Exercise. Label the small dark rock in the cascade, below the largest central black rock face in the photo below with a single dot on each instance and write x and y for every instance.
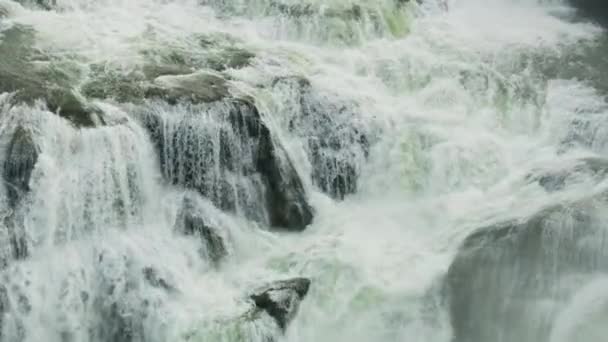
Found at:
(192, 223)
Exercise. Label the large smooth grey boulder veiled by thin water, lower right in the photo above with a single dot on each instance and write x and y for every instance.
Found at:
(504, 275)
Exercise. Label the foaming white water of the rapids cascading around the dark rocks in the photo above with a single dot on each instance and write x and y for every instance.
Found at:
(462, 101)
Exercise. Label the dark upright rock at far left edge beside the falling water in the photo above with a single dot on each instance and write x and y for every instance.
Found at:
(20, 160)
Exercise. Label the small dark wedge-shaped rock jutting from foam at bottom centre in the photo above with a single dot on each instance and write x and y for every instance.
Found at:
(281, 299)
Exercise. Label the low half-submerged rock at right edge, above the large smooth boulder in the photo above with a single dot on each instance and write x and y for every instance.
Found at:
(595, 168)
